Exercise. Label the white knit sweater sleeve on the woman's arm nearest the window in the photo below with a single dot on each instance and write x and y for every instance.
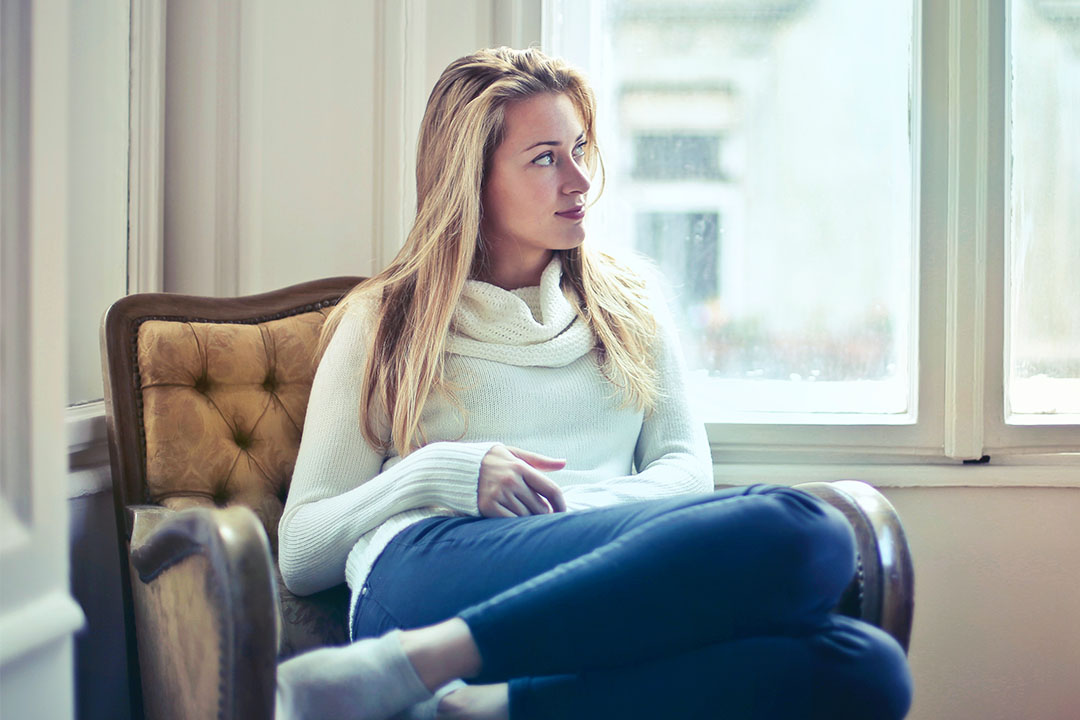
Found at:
(672, 454)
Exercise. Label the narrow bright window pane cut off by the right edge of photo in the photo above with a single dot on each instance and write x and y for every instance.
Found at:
(1044, 329)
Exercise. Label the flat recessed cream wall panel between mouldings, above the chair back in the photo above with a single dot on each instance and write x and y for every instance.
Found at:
(308, 142)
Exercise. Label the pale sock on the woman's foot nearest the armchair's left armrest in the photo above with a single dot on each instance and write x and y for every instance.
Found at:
(368, 681)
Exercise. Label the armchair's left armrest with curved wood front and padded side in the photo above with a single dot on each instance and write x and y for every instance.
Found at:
(207, 612)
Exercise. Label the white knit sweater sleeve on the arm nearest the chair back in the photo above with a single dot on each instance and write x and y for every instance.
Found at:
(340, 490)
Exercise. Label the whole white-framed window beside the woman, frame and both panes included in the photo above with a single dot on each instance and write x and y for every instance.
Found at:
(809, 178)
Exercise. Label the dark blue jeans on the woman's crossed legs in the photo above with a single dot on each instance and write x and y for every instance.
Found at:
(697, 607)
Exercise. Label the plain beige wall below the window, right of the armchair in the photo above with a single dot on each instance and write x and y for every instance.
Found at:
(997, 602)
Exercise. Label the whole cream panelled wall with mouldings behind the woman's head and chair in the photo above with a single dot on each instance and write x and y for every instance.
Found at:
(291, 133)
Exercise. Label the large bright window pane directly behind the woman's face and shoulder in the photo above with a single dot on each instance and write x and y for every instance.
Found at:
(761, 153)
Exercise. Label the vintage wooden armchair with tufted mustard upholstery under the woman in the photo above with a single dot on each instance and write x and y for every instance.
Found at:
(206, 400)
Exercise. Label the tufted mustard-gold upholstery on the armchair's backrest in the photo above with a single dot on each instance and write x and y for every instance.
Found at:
(223, 409)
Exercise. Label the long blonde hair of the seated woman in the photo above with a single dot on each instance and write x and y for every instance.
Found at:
(415, 297)
